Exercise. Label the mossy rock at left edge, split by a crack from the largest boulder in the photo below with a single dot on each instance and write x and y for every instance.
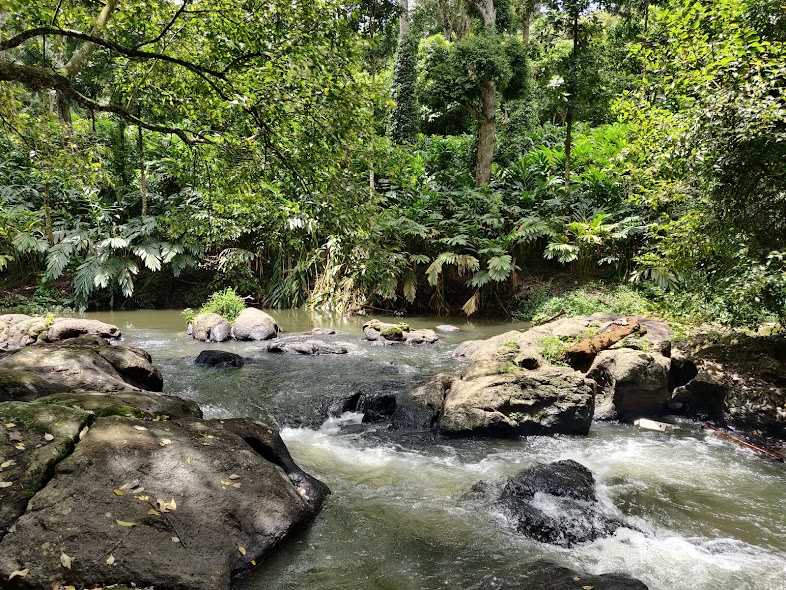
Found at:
(33, 439)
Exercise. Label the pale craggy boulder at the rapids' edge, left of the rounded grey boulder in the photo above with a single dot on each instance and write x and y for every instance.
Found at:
(548, 400)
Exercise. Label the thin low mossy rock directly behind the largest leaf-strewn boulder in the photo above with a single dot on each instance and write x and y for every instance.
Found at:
(147, 405)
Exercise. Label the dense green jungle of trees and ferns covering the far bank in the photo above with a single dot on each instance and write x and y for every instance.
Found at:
(432, 154)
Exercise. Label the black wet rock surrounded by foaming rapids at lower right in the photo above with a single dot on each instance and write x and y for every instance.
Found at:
(557, 504)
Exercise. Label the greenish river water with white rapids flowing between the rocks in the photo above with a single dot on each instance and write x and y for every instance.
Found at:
(702, 513)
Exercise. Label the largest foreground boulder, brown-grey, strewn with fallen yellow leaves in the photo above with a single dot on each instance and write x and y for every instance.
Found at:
(230, 491)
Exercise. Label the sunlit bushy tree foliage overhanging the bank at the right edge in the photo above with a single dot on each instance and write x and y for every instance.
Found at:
(708, 157)
